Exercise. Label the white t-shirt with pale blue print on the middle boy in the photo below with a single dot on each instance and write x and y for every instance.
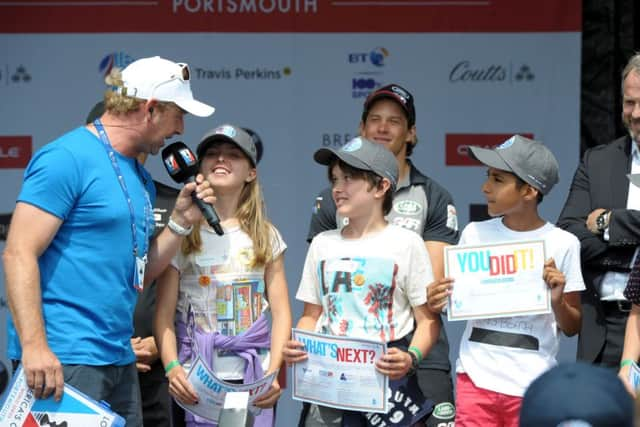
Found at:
(366, 286)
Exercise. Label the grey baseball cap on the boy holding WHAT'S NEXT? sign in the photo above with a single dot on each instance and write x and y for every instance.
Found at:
(363, 154)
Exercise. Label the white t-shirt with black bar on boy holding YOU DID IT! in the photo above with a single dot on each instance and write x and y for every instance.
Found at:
(533, 340)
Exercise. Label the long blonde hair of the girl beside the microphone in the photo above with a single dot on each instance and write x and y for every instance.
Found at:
(253, 220)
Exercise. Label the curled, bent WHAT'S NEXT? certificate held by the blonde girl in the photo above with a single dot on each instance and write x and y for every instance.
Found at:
(212, 391)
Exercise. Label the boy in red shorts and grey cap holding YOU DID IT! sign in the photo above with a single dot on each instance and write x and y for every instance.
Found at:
(500, 357)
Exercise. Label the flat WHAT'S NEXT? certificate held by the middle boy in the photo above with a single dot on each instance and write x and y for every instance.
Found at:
(340, 372)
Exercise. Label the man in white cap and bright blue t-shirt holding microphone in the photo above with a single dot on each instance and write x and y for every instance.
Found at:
(79, 247)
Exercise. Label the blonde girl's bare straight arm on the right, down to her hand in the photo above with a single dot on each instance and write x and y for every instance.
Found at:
(278, 293)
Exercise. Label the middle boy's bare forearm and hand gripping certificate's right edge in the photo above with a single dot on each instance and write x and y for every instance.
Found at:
(396, 363)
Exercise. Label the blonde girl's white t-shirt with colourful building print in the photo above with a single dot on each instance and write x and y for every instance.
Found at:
(226, 294)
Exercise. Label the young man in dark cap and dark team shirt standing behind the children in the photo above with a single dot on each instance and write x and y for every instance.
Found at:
(420, 204)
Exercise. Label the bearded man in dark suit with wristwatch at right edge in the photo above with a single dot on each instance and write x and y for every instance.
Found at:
(603, 211)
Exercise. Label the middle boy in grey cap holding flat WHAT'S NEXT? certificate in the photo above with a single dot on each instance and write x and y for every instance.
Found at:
(368, 281)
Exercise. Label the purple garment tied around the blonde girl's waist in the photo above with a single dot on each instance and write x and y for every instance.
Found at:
(244, 345)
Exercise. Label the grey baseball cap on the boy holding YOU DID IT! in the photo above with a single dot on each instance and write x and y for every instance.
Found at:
(529, 160)
